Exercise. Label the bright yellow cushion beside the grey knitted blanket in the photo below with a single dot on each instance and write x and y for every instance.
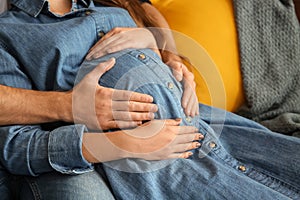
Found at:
(206, 34)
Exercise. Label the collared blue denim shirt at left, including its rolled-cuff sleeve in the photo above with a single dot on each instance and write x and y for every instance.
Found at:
(33, 149)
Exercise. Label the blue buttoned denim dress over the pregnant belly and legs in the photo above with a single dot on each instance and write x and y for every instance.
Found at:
(238, 159)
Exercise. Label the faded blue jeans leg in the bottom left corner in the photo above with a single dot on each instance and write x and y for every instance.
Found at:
(54, 186)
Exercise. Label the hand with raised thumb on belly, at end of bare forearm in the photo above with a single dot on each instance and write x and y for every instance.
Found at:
(106, 108)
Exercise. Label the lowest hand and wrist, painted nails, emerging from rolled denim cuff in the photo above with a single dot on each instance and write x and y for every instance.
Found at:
(154, 140)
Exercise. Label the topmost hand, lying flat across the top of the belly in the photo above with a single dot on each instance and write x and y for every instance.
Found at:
(123, 38)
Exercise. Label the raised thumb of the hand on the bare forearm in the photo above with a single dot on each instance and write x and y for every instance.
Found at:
(101, 68)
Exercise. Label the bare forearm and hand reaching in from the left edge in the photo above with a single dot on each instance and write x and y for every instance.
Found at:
(24, 106)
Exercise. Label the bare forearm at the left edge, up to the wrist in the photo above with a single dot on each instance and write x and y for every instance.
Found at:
(21, 106)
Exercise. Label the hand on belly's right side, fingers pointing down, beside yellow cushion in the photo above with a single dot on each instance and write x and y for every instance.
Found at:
(181, 73)
